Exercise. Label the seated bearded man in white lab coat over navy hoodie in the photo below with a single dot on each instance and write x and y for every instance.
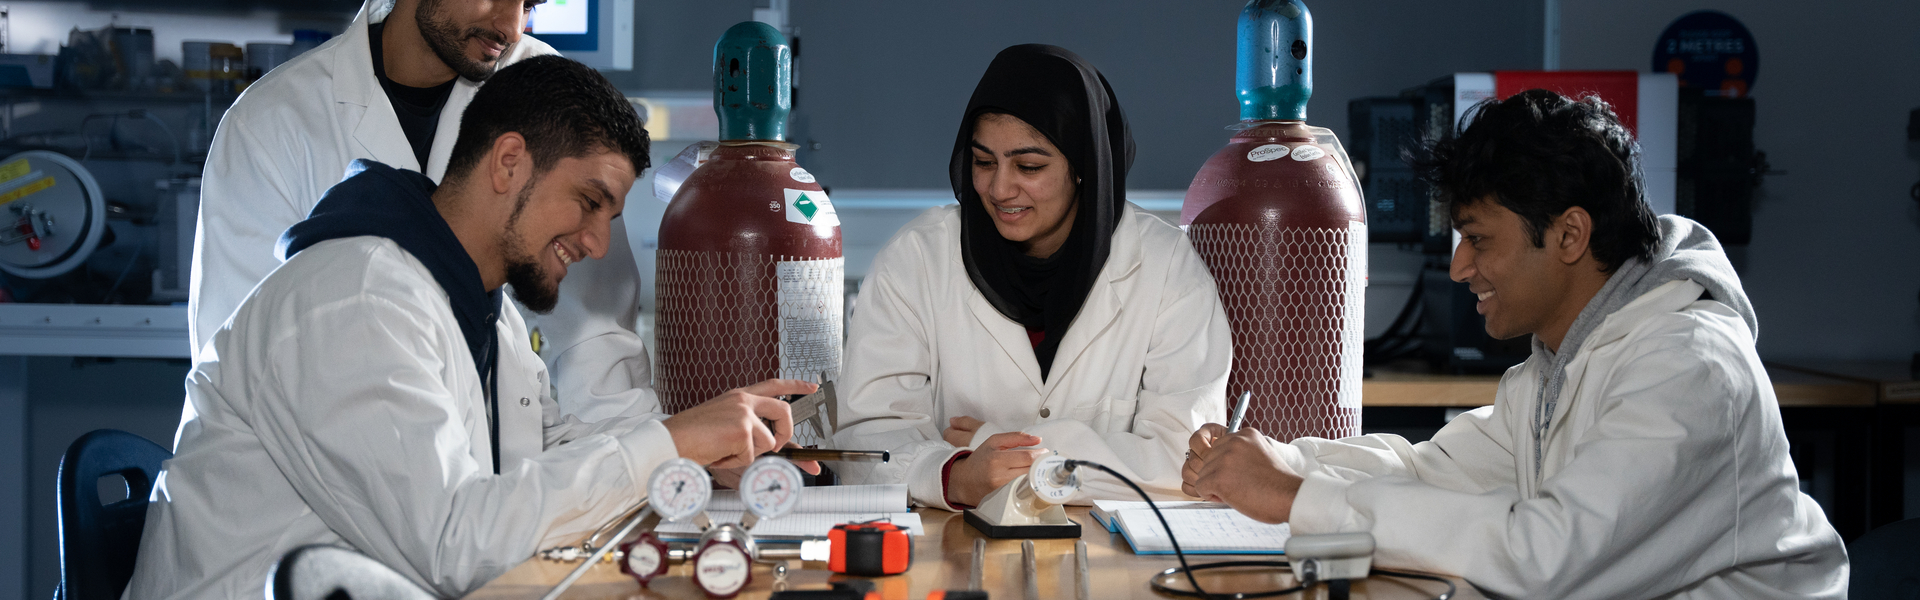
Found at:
(375, 391)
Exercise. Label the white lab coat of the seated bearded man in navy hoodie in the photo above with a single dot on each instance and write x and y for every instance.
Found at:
(343, 407)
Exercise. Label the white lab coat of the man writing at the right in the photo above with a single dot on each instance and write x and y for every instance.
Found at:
(1666, 474)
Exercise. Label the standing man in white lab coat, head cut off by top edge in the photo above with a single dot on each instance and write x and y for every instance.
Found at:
(393, 89)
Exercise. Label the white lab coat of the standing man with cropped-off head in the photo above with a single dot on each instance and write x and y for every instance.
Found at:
(293, 136)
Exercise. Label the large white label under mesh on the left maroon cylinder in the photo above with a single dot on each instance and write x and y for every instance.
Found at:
(811, 316)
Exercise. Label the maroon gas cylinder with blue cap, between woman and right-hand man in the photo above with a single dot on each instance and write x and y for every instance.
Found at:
(1280, 222)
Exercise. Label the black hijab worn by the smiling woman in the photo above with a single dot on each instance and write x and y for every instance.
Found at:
(1072, 105)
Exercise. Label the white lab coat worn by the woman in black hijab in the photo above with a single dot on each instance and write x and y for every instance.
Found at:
(1141, 368)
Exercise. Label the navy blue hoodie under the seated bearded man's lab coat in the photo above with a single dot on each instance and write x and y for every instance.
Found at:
(398, 205)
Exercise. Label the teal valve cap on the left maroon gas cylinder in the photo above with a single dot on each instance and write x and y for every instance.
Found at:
(754, 84)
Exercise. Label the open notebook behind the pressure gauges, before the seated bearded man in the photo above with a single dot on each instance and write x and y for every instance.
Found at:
(821, 509)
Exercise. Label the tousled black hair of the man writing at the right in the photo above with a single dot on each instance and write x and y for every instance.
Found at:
(1539, 155)
